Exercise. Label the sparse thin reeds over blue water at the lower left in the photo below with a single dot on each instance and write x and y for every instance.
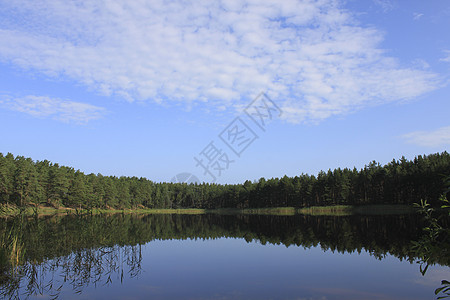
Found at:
(78, 270)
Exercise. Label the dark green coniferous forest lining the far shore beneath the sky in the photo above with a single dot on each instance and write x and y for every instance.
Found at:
(26, 182)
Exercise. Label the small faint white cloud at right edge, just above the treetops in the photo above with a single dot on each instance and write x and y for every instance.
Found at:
(436, 138)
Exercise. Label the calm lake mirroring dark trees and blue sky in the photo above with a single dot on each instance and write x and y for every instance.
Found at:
(212, 256)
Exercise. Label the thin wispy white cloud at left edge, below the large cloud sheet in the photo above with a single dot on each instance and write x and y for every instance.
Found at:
(61, 110)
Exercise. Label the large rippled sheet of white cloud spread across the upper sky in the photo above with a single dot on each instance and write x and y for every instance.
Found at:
(311, 57)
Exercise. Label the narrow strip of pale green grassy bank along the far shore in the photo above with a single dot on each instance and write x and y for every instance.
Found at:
(337, 210)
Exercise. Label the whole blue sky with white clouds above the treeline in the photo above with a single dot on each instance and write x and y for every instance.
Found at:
(140, 88)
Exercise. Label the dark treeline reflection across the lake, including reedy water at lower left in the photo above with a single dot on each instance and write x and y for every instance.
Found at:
(48, 255)
